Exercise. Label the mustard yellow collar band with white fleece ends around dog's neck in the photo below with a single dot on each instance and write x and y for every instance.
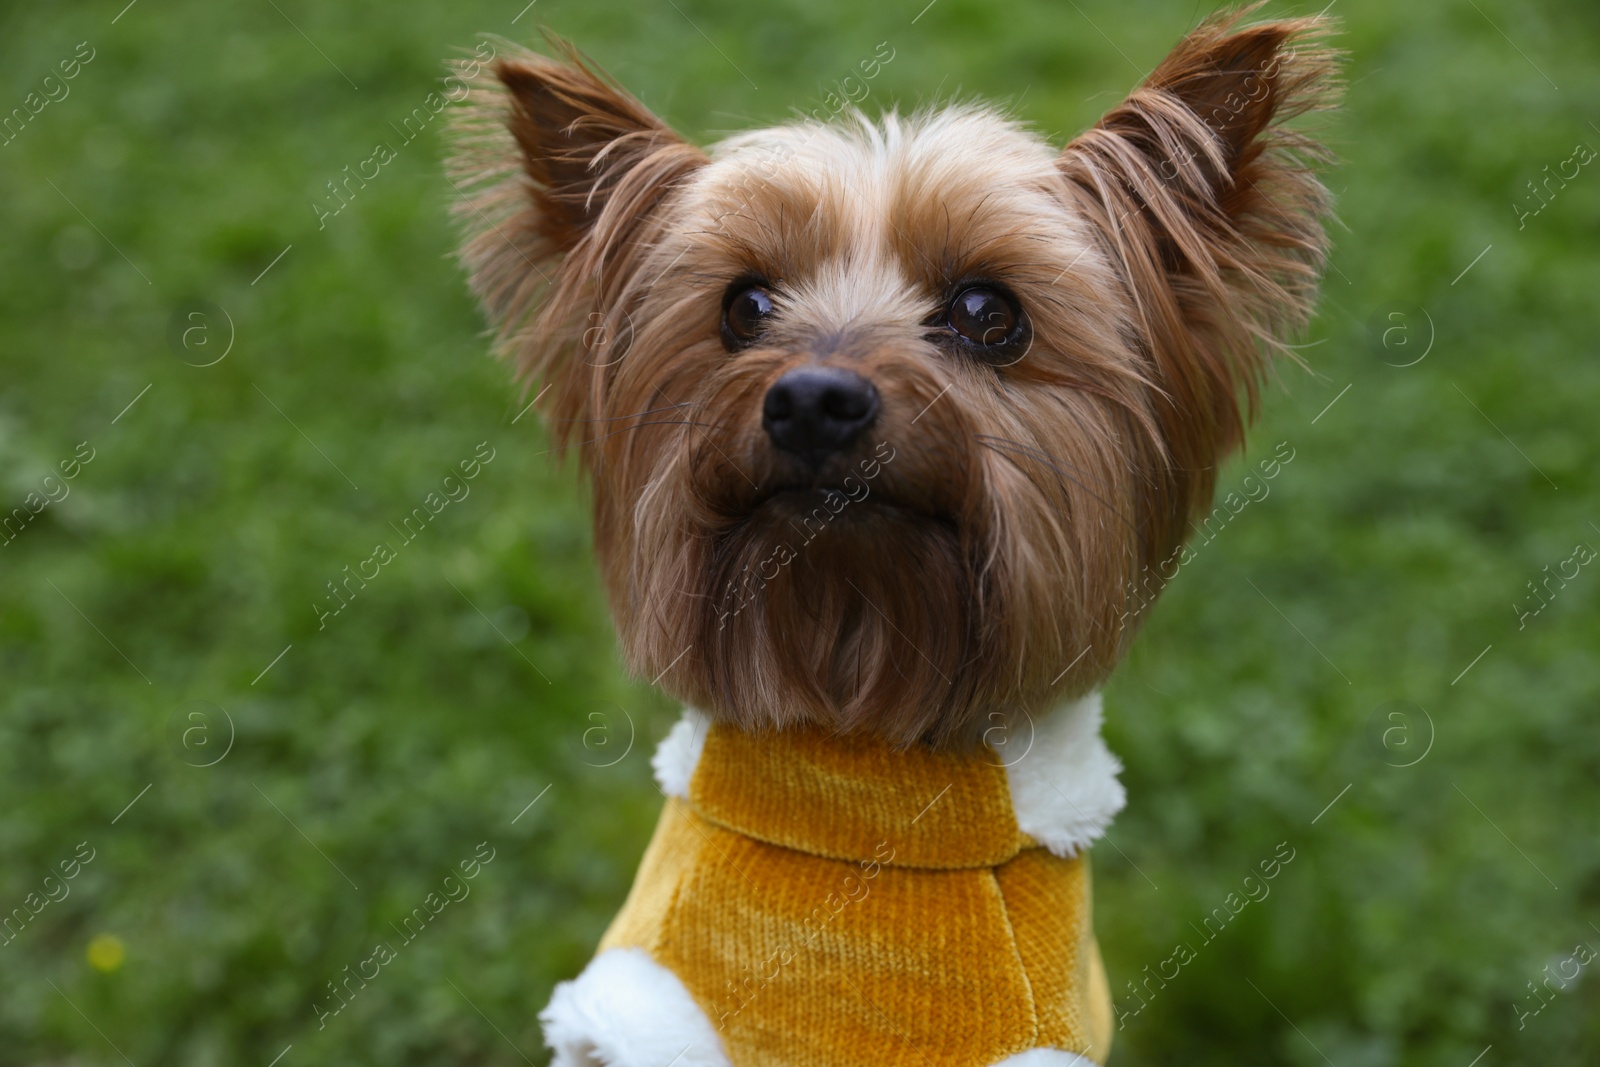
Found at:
(1054, 783)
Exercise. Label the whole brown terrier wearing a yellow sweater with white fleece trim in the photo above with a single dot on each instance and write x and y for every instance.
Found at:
(895, 426)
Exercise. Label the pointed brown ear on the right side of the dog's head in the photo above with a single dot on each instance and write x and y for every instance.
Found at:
(1210, 209)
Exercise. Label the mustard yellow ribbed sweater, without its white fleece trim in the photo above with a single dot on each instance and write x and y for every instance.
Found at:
(834, 903)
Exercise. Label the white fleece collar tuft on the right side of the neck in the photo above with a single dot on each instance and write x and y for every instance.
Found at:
(1065, 788)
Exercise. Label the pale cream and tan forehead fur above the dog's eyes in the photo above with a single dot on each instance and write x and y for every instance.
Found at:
(866, 220)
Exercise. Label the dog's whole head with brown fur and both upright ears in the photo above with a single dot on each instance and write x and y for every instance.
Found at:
(890, 423)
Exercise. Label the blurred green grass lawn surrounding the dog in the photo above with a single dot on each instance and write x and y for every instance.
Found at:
(161, 615)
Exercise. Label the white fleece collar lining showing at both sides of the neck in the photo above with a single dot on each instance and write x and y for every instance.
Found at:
(1065, 786)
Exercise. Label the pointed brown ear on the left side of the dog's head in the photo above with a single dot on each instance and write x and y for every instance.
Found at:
(561, 175)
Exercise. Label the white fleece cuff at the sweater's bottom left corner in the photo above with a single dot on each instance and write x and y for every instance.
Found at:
(626, 1010)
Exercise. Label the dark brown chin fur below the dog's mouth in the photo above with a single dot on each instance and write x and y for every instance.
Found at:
(852, 613)
